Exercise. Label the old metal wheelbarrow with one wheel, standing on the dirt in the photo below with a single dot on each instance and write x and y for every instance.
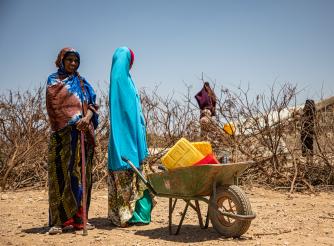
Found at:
(229, 209)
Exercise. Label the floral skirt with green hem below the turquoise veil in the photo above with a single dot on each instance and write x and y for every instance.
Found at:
(129, 201)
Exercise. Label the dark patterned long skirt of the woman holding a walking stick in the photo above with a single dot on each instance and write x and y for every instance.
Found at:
(64, 176)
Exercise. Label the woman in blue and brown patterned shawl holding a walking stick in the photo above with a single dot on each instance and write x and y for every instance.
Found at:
(71, 108)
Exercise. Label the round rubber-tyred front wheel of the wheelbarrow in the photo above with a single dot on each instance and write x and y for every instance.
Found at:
(230, 199)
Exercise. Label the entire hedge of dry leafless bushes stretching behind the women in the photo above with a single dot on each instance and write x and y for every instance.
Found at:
(268, 132)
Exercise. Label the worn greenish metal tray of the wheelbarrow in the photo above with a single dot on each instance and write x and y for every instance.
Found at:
(195, 180)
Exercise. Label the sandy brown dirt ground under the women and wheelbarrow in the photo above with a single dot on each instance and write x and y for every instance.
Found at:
(282, 219)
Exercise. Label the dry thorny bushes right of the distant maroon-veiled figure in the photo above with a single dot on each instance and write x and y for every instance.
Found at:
(268, 132)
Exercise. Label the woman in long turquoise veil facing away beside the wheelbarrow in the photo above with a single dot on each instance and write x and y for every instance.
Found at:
(129, 201)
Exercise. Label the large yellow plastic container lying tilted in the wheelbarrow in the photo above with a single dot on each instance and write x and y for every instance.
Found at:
(182, 154)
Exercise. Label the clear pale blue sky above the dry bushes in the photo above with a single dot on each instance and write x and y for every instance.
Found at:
(232, 42)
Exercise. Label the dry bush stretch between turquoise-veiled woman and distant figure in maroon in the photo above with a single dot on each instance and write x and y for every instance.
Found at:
(167, 120)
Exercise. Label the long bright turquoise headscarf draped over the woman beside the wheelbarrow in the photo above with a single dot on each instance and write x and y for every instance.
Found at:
(127, 126)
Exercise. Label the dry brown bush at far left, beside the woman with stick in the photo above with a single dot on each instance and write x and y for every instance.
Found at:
(23, 139)
